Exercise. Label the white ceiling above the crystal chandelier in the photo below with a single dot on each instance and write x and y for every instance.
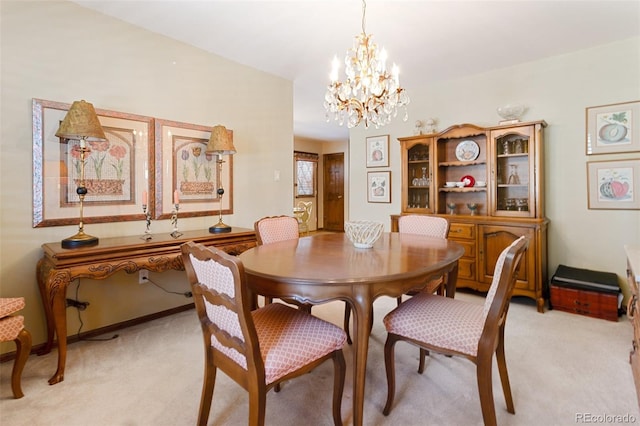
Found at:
(429, 40)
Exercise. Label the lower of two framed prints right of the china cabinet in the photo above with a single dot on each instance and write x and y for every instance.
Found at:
(614, 184)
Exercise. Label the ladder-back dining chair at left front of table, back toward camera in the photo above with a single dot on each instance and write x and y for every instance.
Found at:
(257, 349)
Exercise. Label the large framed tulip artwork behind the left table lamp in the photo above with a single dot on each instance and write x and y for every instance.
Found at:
(116, 171)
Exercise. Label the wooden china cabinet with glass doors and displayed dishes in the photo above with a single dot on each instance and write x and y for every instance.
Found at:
(488, 182)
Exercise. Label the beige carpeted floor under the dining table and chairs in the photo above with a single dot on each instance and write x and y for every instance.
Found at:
(564, 369)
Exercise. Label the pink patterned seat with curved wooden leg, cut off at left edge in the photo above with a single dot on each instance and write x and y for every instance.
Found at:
(12, 328)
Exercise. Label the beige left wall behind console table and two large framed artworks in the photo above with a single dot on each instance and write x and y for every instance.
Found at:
(62, 52)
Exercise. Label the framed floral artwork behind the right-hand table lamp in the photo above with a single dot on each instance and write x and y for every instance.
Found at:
(184, 169)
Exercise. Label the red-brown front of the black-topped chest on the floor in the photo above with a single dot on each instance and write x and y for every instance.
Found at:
(585, 302)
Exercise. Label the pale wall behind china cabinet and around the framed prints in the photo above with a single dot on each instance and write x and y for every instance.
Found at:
(556, 90)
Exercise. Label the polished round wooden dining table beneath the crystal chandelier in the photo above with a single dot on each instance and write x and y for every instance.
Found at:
(326, 267)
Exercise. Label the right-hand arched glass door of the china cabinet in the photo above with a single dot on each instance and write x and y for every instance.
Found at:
(514, 172)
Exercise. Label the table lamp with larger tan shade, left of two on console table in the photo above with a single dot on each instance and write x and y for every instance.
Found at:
(81, 123)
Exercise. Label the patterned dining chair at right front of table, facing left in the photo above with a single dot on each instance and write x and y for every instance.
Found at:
(455, 327)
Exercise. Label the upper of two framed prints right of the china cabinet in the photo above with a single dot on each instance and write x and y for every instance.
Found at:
(613, 128)
